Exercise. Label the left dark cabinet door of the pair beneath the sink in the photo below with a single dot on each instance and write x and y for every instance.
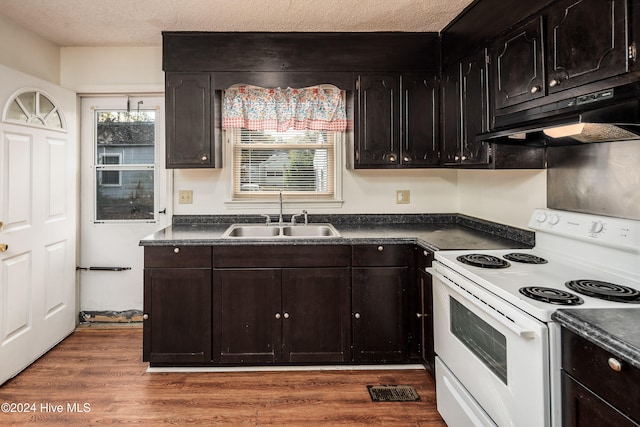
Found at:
(247, 316)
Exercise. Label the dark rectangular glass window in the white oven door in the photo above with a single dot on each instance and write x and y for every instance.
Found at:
(489, 345)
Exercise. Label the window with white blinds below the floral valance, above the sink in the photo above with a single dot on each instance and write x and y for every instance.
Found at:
(300, 163)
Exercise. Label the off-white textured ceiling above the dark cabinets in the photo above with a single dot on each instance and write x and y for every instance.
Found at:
(140, 22)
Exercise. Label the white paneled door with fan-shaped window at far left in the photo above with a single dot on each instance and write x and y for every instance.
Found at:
(38, 183)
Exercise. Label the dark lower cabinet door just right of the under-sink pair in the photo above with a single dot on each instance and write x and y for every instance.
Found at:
(379, 322)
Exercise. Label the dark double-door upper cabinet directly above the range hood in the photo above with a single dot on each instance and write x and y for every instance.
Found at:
(571, 48)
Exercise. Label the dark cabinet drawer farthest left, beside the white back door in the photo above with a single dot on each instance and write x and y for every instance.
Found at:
(177, 257)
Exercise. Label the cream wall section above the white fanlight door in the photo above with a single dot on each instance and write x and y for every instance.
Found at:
(25, 51)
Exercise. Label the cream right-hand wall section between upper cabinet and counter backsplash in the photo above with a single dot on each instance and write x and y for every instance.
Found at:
(504, 196)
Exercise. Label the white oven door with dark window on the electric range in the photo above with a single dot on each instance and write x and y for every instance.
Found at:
(497, 353)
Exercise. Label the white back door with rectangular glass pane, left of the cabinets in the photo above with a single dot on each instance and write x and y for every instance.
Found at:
(123, 197)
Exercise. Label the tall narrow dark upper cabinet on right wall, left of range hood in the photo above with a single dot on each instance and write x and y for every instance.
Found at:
(464, 112)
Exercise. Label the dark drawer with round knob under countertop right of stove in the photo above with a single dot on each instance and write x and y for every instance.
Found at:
(589, 364)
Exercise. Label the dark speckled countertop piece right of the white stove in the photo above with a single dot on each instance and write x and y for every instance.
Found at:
(615, 330)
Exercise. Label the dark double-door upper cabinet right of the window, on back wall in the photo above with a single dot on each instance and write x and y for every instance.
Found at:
(396, 119)
